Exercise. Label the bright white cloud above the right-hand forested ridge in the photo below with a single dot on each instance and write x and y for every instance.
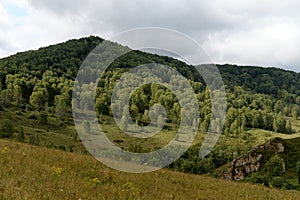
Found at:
(272, 44)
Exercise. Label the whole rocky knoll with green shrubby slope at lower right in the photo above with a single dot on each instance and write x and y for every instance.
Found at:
(274, 160)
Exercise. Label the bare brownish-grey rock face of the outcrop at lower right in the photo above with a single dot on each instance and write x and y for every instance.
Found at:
(253, 160)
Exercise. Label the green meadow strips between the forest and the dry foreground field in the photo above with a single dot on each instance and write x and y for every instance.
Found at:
(56, 133)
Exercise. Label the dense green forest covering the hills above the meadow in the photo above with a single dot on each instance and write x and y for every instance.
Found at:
(43, 79)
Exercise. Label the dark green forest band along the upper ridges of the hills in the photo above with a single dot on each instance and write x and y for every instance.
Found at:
(65, 59)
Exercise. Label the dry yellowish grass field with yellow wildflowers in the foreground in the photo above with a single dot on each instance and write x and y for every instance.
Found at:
(29, 172)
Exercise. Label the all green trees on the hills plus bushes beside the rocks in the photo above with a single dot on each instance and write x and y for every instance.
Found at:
(39, 84)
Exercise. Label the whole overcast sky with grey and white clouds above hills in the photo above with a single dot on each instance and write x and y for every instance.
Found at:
(265, 32)
